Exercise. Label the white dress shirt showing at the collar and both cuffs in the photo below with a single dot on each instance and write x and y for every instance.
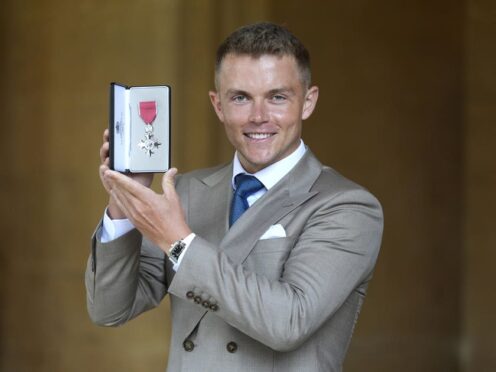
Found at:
(269, 176)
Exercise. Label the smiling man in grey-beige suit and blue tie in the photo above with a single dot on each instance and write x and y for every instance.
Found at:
(275, 287)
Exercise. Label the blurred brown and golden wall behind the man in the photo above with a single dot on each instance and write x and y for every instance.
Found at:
(407, 108)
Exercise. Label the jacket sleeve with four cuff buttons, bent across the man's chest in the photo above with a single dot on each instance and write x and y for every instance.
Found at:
(333, 255)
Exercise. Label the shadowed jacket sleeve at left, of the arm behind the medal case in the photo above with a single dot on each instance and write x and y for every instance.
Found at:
(124, 278)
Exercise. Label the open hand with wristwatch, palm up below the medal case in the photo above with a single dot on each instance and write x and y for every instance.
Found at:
(159, 217)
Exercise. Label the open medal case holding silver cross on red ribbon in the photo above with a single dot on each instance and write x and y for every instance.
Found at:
(139, 128)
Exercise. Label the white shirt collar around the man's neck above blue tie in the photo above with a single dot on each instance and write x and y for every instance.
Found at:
(272, 174)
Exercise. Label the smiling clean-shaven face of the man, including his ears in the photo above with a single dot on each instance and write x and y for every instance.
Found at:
(262, 102)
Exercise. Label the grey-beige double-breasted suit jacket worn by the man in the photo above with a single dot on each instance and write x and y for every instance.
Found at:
(244, 304)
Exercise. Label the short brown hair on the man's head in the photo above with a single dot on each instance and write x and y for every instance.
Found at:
(263, 38)
